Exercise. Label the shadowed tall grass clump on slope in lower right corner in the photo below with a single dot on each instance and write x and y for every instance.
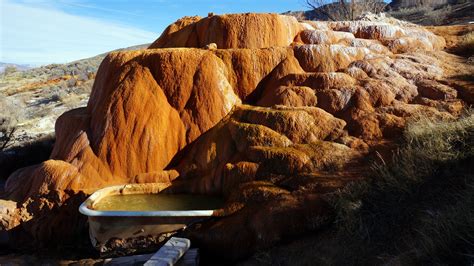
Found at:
(419, 206)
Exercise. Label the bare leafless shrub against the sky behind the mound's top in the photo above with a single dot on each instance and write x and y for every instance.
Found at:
(343, 9)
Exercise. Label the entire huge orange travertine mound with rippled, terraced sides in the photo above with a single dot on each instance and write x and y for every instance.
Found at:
(266, 111)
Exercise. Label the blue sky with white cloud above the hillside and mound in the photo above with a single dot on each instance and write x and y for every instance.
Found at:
(57, 31)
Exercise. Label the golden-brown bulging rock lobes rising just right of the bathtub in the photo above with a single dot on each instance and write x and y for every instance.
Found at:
(263, 141)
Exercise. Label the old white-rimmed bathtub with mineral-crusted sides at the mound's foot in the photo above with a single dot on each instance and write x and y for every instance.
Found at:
(135, 210)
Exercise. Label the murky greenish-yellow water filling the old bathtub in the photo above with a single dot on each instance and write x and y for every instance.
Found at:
(158, 202)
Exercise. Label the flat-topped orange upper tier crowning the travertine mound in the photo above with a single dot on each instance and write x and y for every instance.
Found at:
(230, 31)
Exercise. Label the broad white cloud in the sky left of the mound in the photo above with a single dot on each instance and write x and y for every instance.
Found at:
(30, 35)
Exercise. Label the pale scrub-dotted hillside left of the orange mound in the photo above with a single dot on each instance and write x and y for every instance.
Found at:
(41, 95)
